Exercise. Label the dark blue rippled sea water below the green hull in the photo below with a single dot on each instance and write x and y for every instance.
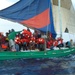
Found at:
(54, 66)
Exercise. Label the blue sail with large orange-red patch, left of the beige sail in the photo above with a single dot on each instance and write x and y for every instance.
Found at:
(32, 13)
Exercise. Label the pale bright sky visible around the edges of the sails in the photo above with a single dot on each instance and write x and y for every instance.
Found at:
(5, 25)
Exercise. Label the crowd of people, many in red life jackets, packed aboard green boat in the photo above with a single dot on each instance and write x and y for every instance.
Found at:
(26, 40)
